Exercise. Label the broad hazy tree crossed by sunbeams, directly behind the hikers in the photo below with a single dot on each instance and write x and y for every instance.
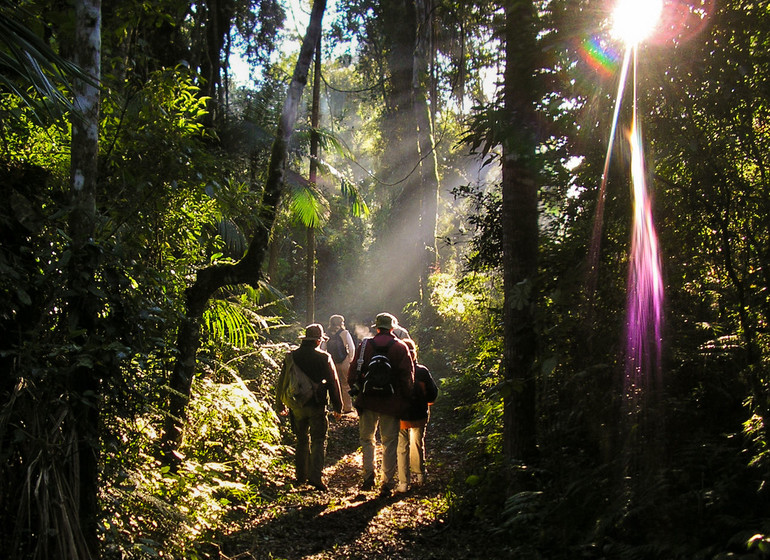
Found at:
(400, 42)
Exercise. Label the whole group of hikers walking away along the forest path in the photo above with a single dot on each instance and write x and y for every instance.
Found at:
(378, 378)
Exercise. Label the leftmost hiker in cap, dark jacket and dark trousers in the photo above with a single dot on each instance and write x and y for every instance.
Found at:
(309, 421)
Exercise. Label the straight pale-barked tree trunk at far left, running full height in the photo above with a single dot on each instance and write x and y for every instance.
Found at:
(84, 307)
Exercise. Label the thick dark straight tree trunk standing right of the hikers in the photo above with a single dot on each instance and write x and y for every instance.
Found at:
(520, 234)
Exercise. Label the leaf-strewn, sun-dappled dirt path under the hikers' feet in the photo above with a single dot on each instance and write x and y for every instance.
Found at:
(347, 523)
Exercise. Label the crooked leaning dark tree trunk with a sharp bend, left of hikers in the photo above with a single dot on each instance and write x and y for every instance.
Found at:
(248, 269)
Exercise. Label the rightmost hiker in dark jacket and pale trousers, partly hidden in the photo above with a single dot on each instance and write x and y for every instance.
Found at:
(411, 438)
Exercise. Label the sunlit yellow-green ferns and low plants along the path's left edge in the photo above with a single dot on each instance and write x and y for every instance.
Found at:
(231, 442)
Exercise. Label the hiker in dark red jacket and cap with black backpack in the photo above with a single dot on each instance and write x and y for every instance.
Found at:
(378, 406)
